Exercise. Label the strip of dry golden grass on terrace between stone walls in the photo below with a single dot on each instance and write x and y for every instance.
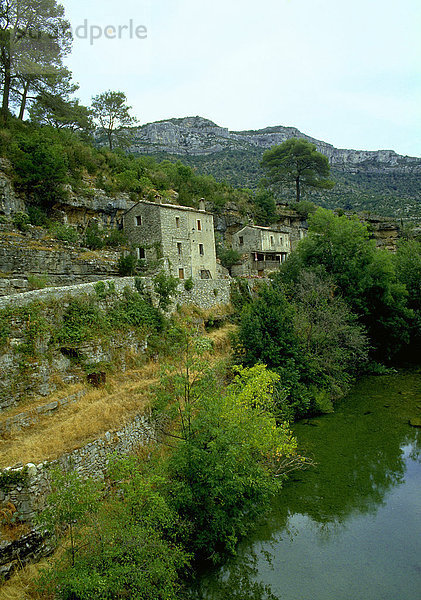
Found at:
(74, 425)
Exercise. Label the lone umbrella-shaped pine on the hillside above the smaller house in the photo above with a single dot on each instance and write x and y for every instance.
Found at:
(297, 162)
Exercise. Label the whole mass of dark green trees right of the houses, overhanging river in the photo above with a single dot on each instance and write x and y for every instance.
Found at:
(336, 301)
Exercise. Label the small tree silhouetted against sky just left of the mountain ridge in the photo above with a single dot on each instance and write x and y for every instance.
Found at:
(111, 112)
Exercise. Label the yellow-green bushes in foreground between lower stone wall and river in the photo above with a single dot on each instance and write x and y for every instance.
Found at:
(226, 461)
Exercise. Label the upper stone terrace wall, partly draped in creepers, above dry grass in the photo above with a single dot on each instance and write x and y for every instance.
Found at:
(24, 376)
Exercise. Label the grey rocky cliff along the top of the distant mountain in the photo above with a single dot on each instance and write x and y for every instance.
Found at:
(197, 136)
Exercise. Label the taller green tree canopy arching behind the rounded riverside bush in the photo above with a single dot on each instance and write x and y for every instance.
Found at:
(364, 276)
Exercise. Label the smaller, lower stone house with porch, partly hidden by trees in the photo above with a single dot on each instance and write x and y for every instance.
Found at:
(263, 250)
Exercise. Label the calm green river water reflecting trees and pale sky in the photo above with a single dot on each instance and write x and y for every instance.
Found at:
(349, 529)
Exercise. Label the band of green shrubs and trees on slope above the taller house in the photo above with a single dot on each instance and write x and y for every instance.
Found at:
(46, 159)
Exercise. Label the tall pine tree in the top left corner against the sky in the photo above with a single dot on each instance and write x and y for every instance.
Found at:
(34, 37)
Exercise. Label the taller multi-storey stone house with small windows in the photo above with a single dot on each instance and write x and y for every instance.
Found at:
(182, 235)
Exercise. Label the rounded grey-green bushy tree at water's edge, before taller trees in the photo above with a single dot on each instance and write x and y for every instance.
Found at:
(308, 336)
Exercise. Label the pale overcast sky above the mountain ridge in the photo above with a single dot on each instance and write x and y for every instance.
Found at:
(348, 73)
